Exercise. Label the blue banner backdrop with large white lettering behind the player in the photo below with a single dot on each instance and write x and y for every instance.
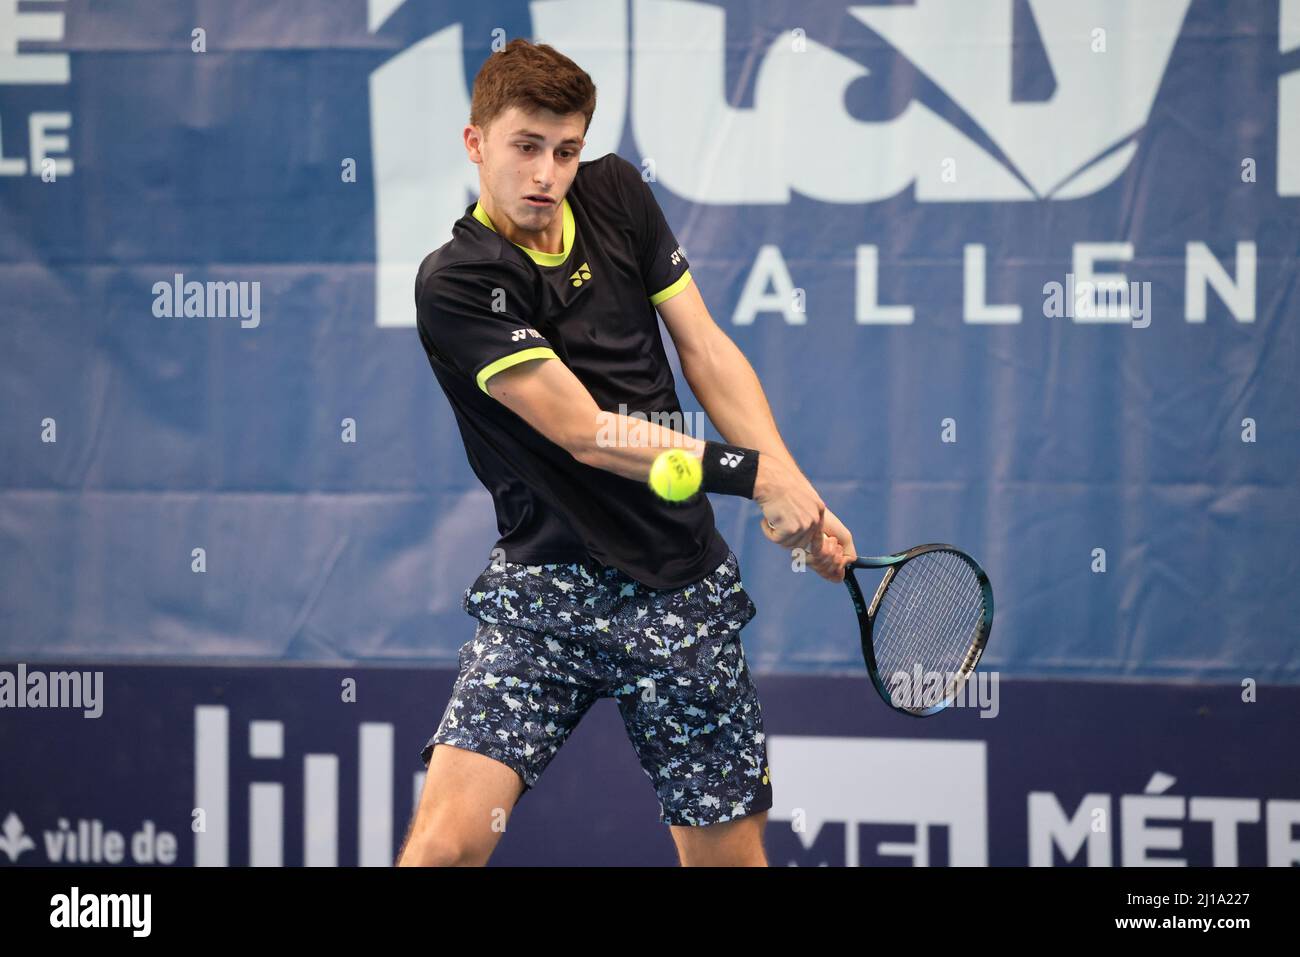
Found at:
(890, 207)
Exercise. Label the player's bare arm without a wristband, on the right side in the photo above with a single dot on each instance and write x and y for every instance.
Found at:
(729, 388)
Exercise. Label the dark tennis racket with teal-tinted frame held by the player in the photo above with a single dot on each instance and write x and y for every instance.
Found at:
(928, 626)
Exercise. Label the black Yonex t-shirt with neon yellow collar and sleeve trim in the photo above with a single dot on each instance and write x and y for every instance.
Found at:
(486, 304)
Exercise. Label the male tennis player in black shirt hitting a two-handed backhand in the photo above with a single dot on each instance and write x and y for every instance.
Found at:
(539, 317)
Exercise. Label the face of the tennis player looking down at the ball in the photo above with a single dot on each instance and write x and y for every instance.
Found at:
(528, 164)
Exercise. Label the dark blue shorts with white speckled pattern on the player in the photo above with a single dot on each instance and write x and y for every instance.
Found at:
(554, 639)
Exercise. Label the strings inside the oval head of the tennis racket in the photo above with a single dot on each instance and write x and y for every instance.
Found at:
(926, 629)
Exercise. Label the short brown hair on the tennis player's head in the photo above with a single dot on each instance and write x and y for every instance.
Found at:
(531, 76)
